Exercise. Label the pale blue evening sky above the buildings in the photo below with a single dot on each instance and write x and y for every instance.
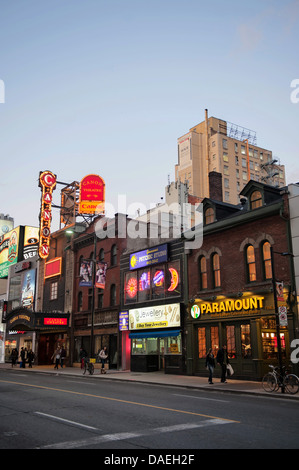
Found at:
(108, 86)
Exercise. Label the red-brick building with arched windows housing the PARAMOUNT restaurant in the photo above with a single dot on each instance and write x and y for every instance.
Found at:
(230, 282)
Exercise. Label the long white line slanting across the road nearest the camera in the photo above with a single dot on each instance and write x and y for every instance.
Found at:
(127, 435)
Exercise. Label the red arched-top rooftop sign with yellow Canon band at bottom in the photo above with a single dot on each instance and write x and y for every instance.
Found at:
(92, 195)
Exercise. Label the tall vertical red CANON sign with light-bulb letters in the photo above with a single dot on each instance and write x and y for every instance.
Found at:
(47, 182)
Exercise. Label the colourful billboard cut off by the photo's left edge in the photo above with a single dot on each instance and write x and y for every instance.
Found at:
(9, 250)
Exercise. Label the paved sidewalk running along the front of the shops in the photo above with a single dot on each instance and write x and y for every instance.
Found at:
(159, 378)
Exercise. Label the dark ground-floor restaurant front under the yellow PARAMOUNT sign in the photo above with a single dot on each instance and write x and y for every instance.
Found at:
(246, 323)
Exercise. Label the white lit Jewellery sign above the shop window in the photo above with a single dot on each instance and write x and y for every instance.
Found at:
(161, 316)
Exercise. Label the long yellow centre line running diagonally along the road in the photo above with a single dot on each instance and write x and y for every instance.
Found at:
(117, 400)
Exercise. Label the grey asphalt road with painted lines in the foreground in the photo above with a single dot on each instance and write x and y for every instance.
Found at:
(40, 411)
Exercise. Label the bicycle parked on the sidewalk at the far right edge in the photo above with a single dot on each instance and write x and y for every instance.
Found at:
(273, 380)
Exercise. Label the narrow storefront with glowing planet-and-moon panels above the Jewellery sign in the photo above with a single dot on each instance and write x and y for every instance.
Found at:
(151, 322)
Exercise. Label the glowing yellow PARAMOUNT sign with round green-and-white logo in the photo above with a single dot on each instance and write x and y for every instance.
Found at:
(229, 305)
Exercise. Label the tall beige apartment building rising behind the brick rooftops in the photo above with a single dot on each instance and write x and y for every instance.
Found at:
(217, 145)
